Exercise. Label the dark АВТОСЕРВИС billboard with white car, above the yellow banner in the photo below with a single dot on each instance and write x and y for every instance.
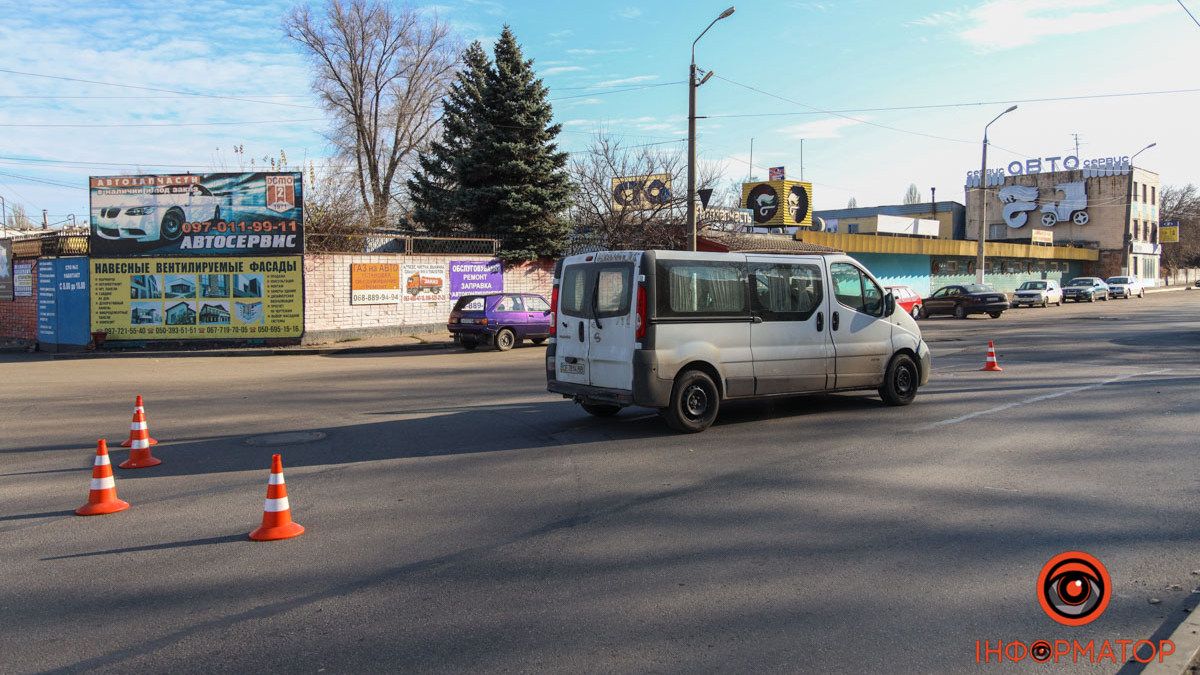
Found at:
(211, 214)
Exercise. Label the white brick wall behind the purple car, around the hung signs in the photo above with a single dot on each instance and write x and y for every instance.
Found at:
(331, 316)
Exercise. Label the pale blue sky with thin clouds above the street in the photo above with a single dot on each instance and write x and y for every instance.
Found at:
(601, 62)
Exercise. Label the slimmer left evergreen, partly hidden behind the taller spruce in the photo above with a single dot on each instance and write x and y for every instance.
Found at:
(442, 171)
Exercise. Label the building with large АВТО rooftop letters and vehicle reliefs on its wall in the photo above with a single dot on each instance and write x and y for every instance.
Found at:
(1107, 206)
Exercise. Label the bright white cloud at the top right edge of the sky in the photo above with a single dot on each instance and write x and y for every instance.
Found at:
(1005, 25)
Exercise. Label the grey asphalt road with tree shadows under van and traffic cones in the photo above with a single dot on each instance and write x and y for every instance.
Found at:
(460, 518)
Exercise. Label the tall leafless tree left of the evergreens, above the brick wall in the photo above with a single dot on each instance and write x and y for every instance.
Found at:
(382, 75)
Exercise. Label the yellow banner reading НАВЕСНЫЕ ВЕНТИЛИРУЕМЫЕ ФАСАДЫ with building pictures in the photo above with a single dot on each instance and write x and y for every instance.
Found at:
(197, 298)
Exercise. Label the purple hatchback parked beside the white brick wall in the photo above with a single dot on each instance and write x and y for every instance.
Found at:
(502, 320)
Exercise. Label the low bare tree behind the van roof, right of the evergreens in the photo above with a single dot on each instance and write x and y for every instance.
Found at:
(659, 224)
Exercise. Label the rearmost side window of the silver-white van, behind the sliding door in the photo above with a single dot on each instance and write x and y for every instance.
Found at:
(689, 289)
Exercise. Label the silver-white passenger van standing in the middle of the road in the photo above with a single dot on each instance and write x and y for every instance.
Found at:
(682, 332)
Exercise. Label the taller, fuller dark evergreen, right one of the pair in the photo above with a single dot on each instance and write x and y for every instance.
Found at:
(517, 184)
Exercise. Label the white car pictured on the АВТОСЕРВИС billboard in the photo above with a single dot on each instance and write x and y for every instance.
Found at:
(160, 218)
